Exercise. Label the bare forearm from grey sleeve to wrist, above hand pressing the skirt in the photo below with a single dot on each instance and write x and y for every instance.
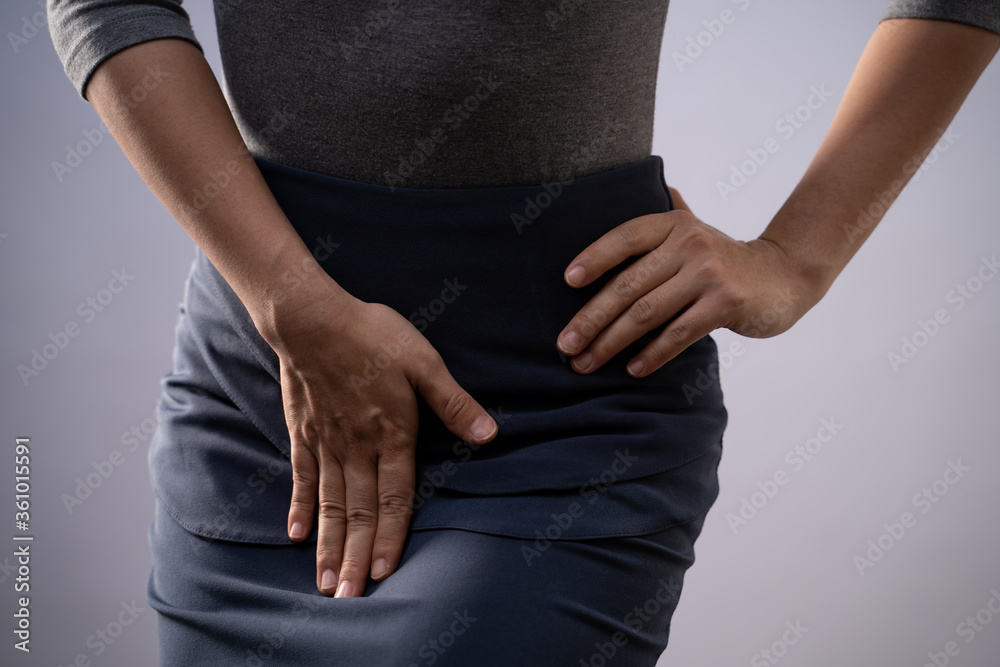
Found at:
(182, 138)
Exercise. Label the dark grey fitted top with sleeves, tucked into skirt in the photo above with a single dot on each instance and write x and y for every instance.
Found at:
(428, 93)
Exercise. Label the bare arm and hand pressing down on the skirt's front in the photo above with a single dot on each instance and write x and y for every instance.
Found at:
(352, 450)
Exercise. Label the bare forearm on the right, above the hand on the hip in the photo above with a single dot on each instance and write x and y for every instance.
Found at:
(910, 82)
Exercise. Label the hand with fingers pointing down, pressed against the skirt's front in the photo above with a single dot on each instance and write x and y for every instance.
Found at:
(353, 433)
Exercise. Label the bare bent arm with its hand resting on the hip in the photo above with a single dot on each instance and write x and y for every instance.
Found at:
(910, 82)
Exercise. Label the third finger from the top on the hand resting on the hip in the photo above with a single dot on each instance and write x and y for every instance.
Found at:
(646, 313)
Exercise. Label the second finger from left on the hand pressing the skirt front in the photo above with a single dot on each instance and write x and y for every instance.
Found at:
(332, 526)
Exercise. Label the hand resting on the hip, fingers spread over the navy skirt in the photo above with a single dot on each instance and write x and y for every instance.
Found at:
(690, 276)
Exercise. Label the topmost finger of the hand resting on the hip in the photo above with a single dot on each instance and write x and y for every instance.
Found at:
(633, 237)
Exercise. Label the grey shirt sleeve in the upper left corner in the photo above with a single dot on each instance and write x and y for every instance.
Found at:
(86, 32)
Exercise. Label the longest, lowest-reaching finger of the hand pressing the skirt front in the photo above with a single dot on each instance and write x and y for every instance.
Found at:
(362, 516)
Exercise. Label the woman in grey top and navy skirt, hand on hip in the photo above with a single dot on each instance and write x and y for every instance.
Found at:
(400, 214)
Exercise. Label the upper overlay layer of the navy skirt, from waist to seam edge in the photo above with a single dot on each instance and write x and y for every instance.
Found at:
(478, 272)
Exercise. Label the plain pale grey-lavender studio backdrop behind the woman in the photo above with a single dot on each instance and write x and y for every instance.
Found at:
(829, 443)
